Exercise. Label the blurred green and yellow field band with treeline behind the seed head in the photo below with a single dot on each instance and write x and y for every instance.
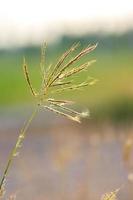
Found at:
(111, 97)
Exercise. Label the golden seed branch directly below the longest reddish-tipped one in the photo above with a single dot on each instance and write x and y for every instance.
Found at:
(76, 70)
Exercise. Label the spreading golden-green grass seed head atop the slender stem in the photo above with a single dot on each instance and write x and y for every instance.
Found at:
(54, 80)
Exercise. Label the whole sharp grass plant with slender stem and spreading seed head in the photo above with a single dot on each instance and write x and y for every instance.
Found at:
(54, 79)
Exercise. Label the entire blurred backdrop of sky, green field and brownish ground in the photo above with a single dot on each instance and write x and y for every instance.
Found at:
(60, 159)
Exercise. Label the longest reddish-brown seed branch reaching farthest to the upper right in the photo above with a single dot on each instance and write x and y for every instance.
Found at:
(76, 58)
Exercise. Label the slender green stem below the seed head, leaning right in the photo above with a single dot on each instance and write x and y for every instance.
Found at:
(16, 147)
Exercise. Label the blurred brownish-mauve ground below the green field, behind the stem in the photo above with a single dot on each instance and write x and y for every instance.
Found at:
(61, 159)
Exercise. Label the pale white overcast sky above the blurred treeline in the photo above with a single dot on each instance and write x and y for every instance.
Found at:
(31, 21)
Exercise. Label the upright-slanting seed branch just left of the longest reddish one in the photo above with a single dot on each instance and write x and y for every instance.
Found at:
(61, 60)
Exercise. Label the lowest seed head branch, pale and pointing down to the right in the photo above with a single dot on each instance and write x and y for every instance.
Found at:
(74, 118)
